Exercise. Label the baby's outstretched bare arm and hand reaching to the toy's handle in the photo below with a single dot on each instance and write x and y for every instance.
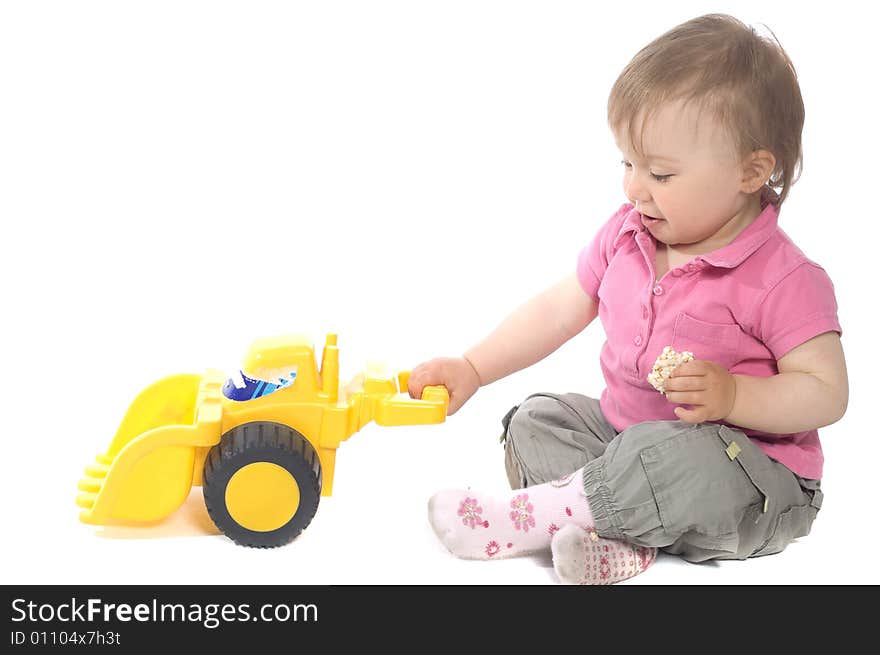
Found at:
(530, 333)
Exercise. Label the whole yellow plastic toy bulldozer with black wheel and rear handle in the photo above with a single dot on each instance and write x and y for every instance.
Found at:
(262, 446)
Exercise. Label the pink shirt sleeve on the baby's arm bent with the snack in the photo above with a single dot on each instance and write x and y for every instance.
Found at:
(799, 307)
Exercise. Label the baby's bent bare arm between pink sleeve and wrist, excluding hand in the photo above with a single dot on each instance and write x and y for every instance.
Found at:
(810, 391)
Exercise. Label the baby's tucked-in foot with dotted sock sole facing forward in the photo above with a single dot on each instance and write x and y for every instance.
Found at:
(583, 557)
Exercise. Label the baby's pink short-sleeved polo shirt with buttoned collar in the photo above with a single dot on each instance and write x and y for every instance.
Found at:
(743, 306)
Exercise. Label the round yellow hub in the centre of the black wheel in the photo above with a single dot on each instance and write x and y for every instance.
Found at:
(262, 496)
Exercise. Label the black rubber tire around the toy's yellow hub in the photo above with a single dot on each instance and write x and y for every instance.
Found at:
(262, 441)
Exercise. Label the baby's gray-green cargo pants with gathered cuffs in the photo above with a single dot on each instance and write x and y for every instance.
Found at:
(701, 491)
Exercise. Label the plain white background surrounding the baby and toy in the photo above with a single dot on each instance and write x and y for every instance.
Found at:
(178, 178)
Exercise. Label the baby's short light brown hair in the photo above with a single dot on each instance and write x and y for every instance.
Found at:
(746, 80)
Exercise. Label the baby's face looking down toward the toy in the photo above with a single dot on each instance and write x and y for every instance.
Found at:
(688, 184)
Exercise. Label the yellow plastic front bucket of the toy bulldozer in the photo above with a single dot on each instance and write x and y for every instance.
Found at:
(147, 472)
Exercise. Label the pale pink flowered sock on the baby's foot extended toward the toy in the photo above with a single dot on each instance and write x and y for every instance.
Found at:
(473, 525)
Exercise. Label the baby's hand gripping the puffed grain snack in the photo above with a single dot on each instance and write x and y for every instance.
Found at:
(706, 386)
